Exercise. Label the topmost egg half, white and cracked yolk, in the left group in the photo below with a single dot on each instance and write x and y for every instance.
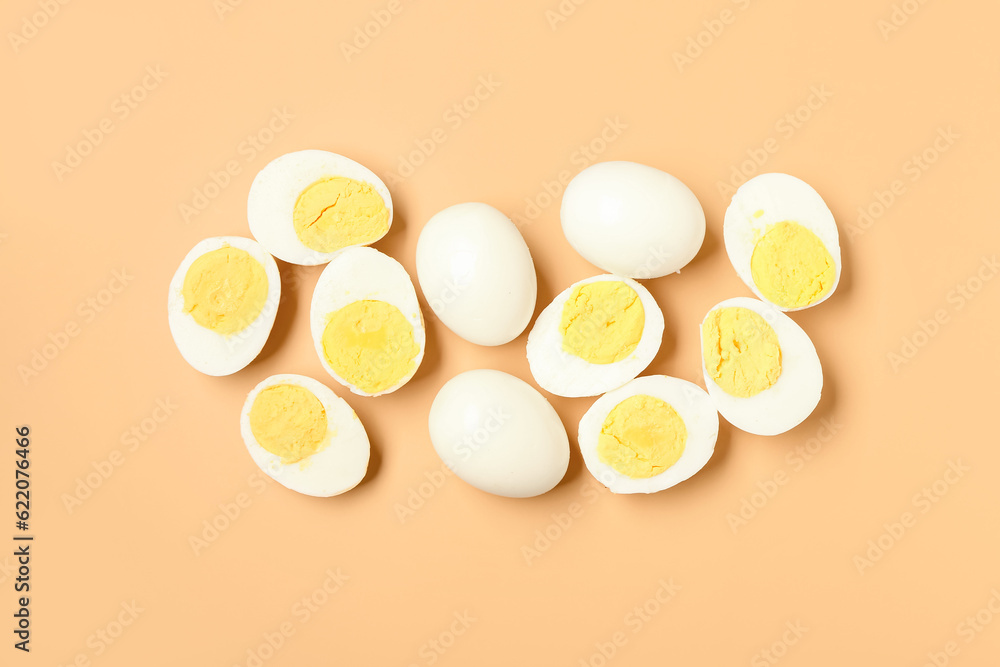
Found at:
(305, 206)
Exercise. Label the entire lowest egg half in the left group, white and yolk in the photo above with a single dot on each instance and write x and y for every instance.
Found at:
(304, 436)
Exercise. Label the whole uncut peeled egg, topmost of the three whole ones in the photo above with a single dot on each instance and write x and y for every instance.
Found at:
(632, 220)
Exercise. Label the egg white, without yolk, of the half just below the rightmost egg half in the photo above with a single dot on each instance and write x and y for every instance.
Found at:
(786, 403)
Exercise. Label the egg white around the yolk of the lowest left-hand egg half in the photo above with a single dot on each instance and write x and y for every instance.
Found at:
(337, 466)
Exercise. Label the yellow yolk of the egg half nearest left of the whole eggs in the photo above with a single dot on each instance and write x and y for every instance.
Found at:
(370, 344)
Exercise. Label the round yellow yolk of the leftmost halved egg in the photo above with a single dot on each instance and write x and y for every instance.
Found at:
(225, 290)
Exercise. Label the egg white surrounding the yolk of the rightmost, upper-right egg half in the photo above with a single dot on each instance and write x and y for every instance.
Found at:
(779, 198)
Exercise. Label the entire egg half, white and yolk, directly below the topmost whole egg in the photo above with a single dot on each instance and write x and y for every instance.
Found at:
(595, 336)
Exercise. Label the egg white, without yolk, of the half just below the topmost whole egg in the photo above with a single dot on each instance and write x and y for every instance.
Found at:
(565, 374)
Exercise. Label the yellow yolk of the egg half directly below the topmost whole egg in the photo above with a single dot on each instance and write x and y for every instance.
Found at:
(602, 322)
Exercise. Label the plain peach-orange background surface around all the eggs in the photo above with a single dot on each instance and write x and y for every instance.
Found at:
(793, 562)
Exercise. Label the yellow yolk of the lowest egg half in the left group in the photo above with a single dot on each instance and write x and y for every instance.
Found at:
(289, 421)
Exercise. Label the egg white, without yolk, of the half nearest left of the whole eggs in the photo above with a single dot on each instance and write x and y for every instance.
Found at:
(357, 274)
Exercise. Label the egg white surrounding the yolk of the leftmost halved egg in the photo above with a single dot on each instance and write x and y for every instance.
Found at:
(208, 351)
